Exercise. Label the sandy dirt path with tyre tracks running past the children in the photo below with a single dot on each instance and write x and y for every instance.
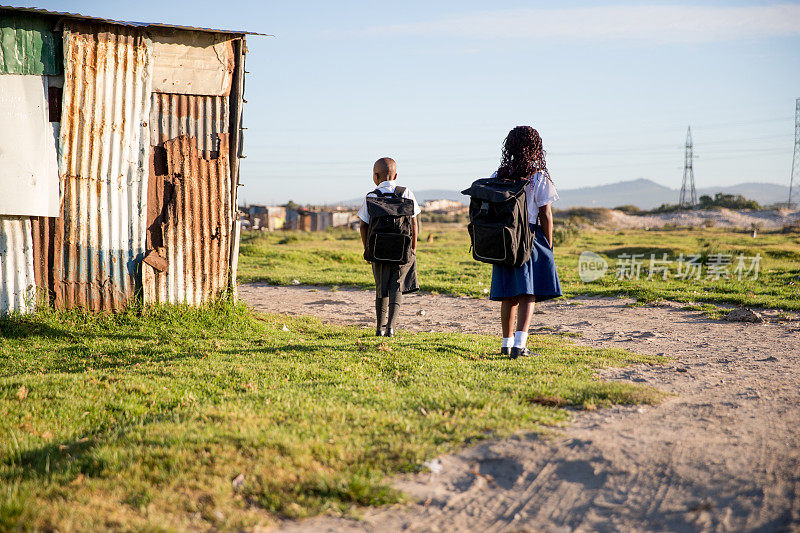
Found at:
(723, 454)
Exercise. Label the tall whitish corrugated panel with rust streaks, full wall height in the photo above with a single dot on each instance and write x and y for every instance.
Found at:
(104, 145)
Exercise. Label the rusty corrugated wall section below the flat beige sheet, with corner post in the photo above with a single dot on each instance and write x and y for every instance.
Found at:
(191, 205)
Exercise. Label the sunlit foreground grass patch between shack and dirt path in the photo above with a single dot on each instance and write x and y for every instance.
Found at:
(141, 421)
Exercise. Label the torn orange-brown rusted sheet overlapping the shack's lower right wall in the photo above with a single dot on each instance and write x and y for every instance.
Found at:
(190, 224)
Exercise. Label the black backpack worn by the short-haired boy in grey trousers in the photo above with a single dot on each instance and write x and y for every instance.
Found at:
(389, 235)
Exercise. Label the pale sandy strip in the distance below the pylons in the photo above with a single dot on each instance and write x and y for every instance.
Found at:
(727, 218)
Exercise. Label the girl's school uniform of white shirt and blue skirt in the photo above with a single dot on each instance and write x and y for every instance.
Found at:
(537, 277)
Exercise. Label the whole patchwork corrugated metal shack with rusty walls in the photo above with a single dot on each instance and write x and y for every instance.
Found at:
(123, 182)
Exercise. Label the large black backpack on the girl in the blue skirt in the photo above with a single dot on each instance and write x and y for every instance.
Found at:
(498, 222)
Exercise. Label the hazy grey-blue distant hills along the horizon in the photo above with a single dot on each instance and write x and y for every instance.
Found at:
(643, 193)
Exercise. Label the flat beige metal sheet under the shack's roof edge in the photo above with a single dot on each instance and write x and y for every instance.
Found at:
(192, 63)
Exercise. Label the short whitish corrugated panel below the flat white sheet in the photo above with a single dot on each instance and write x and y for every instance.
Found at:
(17, 280)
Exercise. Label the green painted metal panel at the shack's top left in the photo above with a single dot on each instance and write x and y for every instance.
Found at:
(28, 45)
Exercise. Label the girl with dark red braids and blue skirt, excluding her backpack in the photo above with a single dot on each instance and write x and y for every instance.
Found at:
(519, 288)
